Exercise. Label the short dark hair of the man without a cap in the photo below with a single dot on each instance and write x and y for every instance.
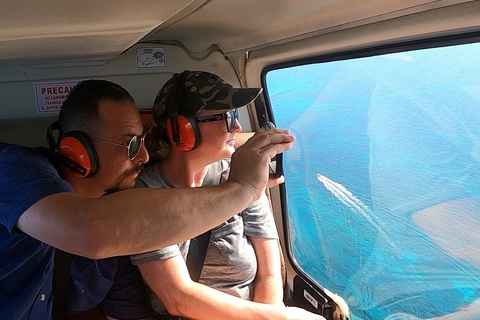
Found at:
(80, 109)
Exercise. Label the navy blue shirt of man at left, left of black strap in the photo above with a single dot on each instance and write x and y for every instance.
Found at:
(26, 264)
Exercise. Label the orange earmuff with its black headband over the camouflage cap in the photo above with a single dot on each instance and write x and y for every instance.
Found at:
(182, 129)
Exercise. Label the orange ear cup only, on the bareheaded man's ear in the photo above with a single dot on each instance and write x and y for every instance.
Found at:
(77, 147)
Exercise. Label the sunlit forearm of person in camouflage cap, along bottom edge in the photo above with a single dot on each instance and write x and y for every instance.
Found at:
(182, 296)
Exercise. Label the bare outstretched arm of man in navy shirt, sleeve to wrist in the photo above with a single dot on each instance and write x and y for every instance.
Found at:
(131, 221)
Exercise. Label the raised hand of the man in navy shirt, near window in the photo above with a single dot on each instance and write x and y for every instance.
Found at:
(249, 165)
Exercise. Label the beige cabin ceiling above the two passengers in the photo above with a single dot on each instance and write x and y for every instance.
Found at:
(96, 31)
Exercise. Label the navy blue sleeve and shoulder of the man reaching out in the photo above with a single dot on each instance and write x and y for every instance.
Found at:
(26, 175)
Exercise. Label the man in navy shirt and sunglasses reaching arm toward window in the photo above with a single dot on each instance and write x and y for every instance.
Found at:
(57, 199)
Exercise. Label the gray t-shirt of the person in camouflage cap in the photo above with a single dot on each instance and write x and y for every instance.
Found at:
(230, 263)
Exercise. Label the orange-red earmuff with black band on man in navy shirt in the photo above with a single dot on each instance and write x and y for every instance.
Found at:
(75, 150)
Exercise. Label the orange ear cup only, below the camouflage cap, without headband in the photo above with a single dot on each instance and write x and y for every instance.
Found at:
(188, 133)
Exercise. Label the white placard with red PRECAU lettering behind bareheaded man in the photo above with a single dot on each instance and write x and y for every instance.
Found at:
(50, 95)
